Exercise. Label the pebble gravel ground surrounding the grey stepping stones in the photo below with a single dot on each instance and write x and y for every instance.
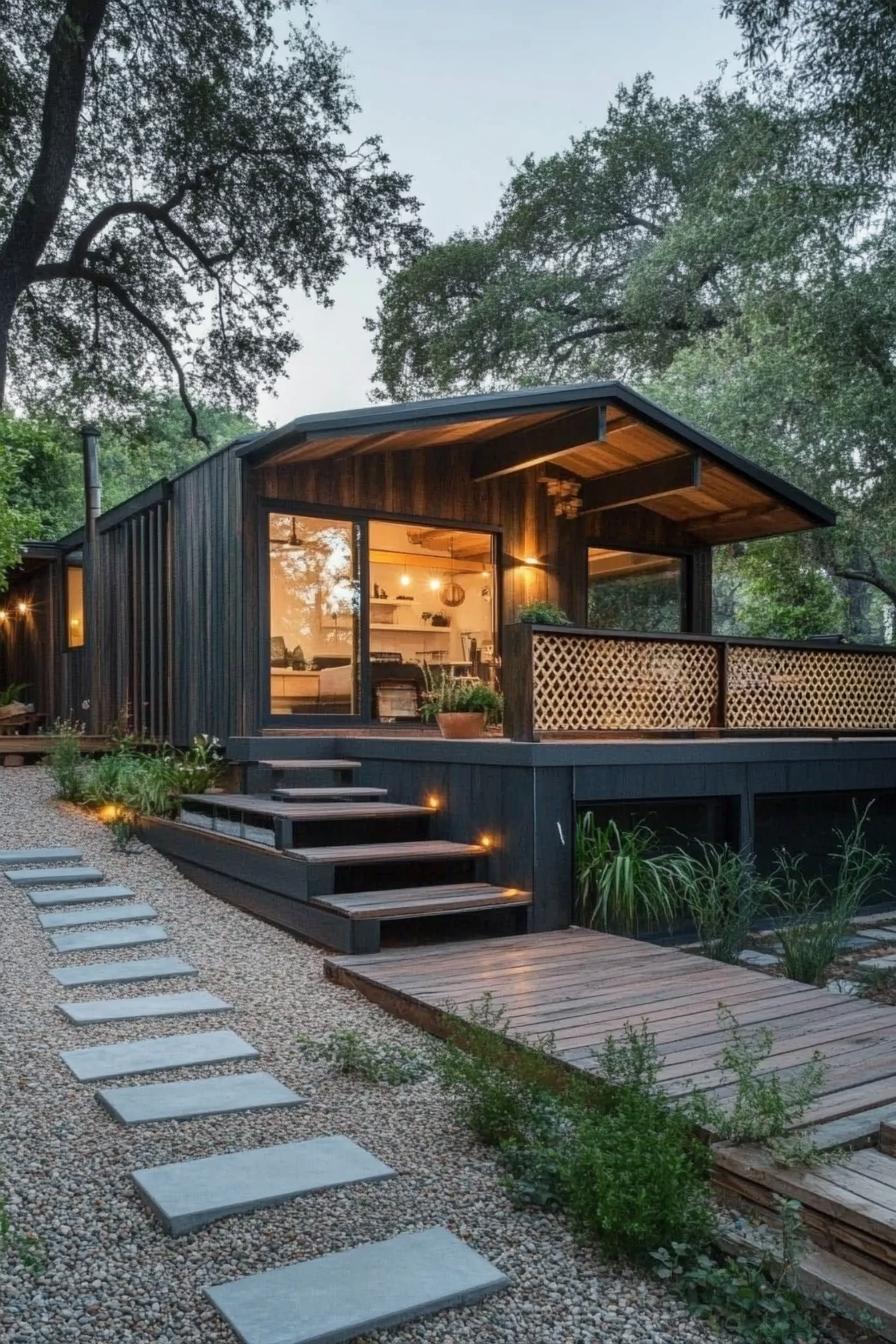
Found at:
(112, 1273)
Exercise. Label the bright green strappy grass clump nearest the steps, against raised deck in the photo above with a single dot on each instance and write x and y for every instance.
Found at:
(624, 884)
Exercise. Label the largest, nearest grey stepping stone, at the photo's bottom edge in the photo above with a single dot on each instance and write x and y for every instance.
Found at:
(351, 1294)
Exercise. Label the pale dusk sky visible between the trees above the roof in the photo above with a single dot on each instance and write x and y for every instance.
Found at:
(459, 89)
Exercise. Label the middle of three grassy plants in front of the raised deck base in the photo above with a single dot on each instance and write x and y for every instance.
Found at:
(718, 889)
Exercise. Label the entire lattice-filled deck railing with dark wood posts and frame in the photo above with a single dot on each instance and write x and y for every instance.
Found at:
(570, 682)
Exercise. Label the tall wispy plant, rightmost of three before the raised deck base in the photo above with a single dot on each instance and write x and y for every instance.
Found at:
(817, 912)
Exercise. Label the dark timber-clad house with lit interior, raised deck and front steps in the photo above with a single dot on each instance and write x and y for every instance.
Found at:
(294, 592)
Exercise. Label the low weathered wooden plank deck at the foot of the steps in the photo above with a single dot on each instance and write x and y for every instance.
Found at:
(577, 989)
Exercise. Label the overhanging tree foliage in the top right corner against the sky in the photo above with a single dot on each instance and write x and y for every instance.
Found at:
(838, 61)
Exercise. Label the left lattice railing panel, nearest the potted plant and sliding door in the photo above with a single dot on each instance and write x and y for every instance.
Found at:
(590, 683)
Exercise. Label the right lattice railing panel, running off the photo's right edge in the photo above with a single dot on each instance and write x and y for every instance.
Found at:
(811, 689)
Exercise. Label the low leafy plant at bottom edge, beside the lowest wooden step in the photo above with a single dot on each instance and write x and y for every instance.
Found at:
(753, 1299)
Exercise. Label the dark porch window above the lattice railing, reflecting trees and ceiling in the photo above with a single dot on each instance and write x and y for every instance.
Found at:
(633, 592)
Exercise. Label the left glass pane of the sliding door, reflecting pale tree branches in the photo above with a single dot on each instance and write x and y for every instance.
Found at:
(315, 607)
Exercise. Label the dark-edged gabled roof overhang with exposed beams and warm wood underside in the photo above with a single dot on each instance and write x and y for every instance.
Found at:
(621, 448)
